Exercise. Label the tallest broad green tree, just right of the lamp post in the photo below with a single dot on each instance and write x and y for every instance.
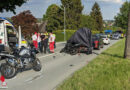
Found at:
(73, 9)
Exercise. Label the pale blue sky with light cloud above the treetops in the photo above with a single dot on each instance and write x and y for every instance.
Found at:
(109, 8)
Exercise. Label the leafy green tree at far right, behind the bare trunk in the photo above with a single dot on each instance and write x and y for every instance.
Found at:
(121, 20)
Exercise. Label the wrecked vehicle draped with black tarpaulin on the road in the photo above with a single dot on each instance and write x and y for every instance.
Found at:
(80, 42)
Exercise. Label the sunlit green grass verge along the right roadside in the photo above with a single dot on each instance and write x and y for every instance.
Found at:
(109, 71)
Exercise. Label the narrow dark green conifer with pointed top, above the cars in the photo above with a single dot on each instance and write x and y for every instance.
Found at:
(97, 16)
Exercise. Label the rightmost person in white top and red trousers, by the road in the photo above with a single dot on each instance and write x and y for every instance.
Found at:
(51, 42)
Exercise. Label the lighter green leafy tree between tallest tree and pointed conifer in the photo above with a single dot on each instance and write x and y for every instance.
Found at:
(87, 21)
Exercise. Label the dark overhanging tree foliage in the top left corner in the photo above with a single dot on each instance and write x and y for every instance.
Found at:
(10, 5)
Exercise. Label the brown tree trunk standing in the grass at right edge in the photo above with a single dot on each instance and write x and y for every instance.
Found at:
(127, 42)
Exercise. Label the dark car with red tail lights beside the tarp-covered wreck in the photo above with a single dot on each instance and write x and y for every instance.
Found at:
(97, 42)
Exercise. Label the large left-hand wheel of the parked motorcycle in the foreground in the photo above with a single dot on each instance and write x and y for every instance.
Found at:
(7, 71)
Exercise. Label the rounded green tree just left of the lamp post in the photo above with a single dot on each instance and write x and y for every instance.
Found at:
(54, 17)
